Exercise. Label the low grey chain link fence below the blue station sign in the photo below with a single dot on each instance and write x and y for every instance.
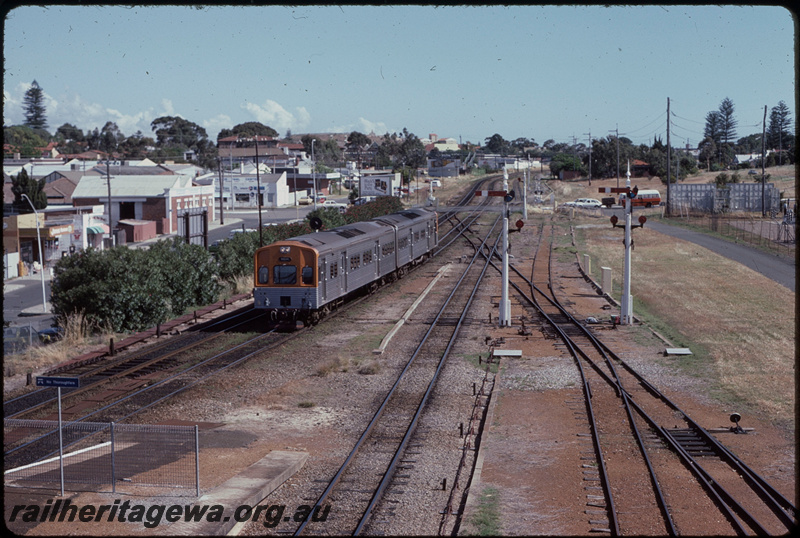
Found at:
(101, 456)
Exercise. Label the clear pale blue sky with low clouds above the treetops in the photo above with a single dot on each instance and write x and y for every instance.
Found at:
(552, 72)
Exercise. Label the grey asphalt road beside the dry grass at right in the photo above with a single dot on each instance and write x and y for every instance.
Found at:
(777, 268)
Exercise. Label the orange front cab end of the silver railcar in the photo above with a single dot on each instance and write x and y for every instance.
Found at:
(286, 279)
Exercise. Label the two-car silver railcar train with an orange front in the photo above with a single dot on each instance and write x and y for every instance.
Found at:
(304, 277)
